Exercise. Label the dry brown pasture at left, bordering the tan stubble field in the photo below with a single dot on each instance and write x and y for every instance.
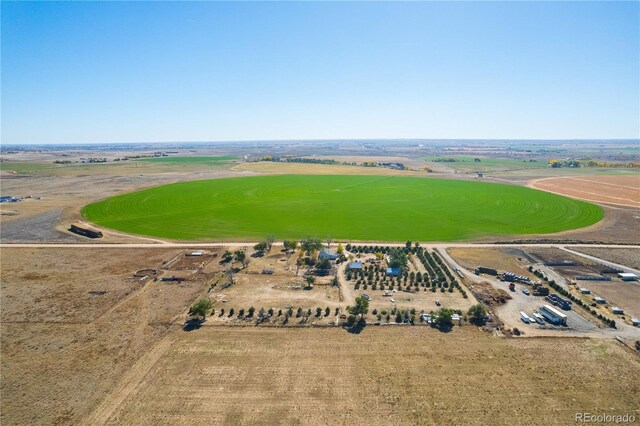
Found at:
(63, 350)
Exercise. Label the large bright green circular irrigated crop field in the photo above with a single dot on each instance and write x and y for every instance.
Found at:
(340, 207)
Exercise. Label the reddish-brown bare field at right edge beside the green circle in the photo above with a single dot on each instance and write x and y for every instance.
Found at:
(617, 190)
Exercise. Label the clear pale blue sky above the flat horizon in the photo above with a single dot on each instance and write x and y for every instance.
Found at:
(128, 72)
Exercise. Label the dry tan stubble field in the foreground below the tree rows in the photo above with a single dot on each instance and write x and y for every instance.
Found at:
(384, 375)
